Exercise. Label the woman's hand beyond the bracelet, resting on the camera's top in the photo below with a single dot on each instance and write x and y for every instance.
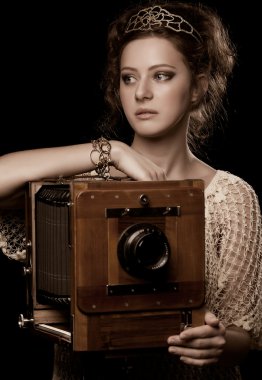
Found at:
(133, 164)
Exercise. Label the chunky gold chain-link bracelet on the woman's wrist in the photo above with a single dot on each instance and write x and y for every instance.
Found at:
(102, 149)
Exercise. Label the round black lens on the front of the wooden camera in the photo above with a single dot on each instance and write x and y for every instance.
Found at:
(143, 250)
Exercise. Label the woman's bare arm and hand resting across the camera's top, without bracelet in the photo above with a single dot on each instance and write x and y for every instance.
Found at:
(18, 168)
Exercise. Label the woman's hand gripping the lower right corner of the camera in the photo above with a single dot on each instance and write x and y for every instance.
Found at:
(200, 345)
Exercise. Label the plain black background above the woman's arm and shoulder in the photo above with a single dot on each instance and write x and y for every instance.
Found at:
(53, 57)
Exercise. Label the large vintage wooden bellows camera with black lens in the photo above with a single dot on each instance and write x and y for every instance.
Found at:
(114, 264)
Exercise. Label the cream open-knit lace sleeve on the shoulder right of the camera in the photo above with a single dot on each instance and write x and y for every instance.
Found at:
(233, 255)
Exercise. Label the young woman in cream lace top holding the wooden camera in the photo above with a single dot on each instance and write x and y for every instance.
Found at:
(167, 72)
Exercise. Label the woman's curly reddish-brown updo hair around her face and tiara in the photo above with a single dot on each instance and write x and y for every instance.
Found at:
(214, 55)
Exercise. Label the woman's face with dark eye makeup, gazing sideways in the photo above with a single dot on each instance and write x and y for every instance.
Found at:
(156, 89)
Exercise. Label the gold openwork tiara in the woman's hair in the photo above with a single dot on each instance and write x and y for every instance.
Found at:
(156, 16)
